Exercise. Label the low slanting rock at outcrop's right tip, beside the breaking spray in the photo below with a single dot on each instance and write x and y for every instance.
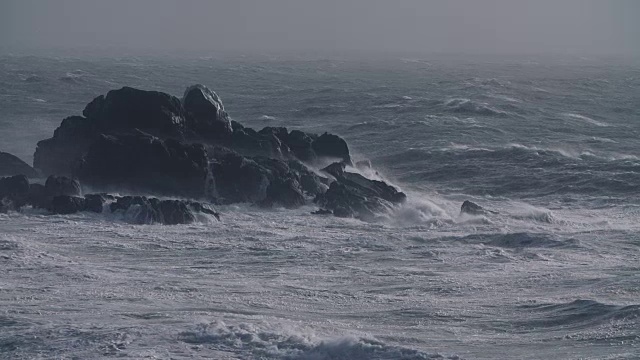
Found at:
(353, 195)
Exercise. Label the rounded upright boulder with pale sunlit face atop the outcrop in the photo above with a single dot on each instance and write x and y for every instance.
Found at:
(205, 113)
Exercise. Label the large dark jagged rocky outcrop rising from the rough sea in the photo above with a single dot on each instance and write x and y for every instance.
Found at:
(148, 142)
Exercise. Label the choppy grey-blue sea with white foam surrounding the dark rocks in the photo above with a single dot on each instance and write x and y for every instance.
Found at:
(551, 145)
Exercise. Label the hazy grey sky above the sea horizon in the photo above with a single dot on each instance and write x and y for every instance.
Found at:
(420, 26)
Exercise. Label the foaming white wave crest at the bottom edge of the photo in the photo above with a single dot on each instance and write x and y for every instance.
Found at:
(260, 341)
